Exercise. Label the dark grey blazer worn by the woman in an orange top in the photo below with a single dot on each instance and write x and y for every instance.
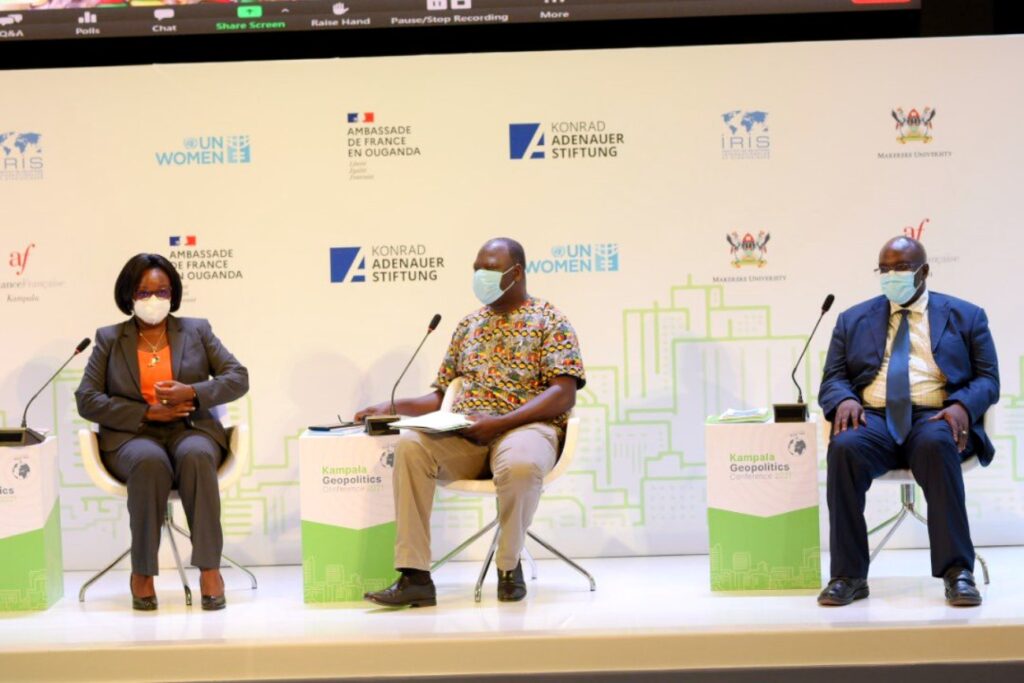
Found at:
(111, 395)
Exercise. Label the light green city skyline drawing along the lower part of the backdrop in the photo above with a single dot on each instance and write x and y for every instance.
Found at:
(641, 459)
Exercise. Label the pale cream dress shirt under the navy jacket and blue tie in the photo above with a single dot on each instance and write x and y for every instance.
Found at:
(928, 385)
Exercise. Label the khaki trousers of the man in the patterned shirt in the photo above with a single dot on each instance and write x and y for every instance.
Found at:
(519, 459)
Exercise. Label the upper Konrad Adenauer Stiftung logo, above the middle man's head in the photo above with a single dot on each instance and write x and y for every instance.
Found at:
(565, 140)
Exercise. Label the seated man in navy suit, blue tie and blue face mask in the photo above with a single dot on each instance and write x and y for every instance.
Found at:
(907, 383)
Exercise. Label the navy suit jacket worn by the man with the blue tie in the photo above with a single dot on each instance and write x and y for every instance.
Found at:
(962, 347)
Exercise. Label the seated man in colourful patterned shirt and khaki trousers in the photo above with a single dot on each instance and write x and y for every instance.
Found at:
(521, 365)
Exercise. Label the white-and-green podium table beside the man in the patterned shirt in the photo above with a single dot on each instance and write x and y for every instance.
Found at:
(348, 510)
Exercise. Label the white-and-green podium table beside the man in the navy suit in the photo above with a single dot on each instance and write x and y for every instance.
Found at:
(763, 506)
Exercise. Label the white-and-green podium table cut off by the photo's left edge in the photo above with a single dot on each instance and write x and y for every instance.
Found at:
(31, 560)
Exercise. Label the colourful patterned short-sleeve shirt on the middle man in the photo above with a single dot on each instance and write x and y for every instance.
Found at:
(506, 360)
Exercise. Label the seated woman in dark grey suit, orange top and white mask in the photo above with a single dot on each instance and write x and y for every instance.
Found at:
(150, 385)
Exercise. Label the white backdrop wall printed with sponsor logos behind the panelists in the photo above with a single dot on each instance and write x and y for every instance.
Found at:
(628, 238)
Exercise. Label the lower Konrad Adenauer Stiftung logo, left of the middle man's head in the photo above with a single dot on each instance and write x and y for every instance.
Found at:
(385, 265)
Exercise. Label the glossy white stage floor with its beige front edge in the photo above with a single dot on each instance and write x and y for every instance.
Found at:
(648, 614)
